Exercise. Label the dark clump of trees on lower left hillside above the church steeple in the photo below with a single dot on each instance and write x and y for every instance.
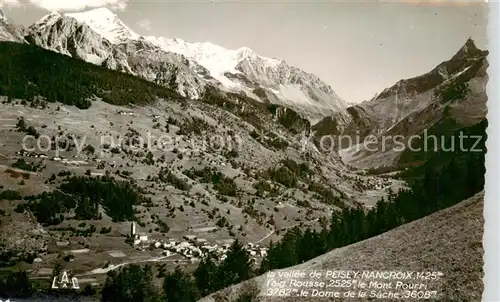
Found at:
(84, 195)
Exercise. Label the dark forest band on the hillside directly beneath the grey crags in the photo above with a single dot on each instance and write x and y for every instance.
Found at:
(27, 71)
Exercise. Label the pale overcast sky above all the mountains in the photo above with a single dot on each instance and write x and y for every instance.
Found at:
(358, 48)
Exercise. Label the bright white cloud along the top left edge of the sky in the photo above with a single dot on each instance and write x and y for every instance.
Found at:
(69, 5)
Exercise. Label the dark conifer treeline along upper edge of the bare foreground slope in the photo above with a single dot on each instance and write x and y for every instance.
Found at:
(445, 179)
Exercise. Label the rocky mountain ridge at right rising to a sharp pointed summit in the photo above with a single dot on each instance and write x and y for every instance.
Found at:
(454, 90)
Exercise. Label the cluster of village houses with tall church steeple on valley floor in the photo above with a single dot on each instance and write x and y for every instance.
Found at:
(194, 248)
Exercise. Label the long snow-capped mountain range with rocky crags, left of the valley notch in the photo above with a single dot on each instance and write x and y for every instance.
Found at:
(100, 37)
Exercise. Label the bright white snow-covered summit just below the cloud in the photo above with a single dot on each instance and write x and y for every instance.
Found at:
(106, 23)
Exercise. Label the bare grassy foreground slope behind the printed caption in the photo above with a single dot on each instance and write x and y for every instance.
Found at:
(449, 241)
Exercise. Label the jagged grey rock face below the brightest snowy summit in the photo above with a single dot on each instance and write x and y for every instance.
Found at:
(67, 35)
